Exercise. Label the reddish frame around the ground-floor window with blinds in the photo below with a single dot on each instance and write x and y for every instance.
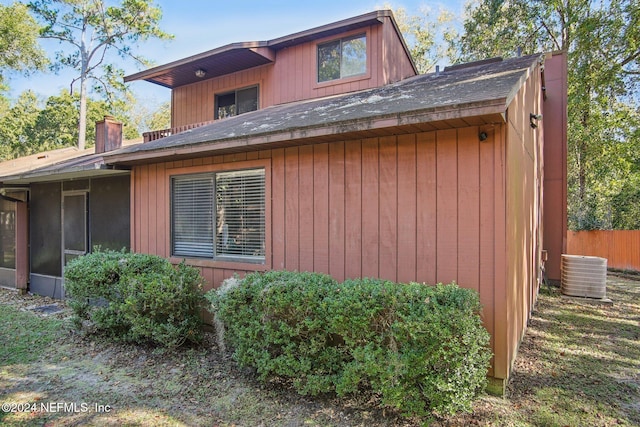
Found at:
(224, 260)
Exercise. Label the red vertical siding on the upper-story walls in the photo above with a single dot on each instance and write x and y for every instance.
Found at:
(292, 77)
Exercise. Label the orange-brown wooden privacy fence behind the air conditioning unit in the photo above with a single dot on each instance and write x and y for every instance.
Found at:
(620, 247)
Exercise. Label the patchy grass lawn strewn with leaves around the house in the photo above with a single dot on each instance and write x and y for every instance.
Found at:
(579, 365)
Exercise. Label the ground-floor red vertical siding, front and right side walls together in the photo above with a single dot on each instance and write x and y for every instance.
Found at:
(436, 206)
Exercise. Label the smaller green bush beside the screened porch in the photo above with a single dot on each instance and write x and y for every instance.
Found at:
(136, 297)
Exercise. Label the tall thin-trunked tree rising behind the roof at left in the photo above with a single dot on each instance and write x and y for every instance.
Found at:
(95, 34)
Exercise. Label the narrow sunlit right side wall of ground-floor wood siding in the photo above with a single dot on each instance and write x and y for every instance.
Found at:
(523, 228)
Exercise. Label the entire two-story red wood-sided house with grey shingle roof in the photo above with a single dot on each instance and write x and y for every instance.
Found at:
(325, 151)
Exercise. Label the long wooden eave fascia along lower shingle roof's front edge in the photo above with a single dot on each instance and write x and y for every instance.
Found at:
(455, 116)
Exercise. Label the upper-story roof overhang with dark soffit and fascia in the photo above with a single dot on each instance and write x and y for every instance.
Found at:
(241, 56)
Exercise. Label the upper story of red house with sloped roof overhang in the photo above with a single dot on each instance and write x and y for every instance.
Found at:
(364, 52)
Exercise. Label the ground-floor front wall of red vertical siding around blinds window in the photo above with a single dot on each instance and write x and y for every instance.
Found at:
(417, 207)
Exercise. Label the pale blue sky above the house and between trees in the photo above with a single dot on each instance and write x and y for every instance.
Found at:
(202, 25)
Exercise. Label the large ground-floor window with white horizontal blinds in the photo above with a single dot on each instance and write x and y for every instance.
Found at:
(219, 215)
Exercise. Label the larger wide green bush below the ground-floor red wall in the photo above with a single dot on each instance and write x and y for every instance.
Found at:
(421, 348)
